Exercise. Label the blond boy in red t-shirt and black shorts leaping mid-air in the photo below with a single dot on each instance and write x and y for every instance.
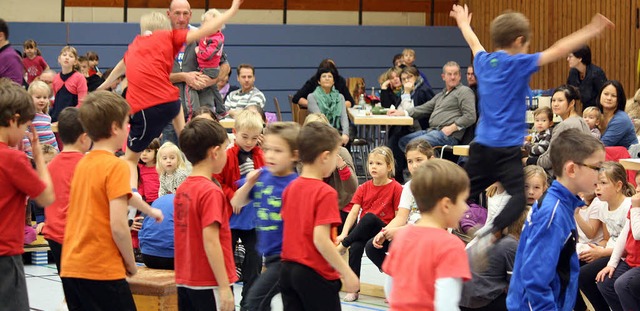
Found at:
(154, 100)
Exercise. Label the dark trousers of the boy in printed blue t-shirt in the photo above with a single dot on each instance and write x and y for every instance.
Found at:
(266, 286)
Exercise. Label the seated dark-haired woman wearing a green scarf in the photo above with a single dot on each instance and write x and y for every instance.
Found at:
(327, 100)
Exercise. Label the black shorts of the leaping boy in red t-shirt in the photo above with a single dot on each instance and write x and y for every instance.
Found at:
(147, 124)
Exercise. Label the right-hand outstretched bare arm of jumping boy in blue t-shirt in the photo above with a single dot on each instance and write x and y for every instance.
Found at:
(570, 43)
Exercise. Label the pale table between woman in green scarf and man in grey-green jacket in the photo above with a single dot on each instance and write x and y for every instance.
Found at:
(370, 125)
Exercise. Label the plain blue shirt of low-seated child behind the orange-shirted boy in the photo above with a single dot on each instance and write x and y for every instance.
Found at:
(156, 239)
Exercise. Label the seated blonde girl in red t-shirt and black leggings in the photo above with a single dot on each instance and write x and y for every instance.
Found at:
(377, 202)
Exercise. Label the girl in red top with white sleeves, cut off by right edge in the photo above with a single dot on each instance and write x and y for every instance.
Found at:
(618, 281)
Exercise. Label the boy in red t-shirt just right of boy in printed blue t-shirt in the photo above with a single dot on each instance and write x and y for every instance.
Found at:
(308, 279)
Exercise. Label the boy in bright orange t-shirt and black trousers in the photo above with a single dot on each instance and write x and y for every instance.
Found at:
(97, 253)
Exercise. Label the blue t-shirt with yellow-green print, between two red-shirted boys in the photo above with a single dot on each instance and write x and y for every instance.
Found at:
(266, 201)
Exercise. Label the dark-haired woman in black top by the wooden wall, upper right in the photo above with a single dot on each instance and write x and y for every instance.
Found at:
(584, 75)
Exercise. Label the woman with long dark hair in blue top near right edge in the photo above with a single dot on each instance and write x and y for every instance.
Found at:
(618, 129)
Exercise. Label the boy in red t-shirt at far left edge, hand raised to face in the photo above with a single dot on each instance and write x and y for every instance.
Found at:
(17, 181)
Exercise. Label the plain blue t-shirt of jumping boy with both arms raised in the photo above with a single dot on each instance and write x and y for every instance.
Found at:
(503, 85)
